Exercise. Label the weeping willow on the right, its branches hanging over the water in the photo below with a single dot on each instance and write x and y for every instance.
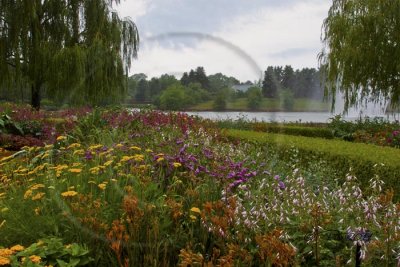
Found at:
(362, 51)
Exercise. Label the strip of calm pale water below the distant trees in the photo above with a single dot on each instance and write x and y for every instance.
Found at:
(277, 116)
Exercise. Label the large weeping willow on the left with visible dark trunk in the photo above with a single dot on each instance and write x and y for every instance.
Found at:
(73, 50)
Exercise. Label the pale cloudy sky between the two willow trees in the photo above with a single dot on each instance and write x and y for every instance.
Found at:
(239, 38)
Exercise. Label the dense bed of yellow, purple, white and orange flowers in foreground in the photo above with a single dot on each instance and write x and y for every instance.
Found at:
(156, 187)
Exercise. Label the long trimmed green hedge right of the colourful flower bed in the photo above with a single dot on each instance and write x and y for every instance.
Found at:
(364, 160)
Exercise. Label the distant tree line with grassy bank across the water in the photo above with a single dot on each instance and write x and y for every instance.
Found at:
(194, 87)
